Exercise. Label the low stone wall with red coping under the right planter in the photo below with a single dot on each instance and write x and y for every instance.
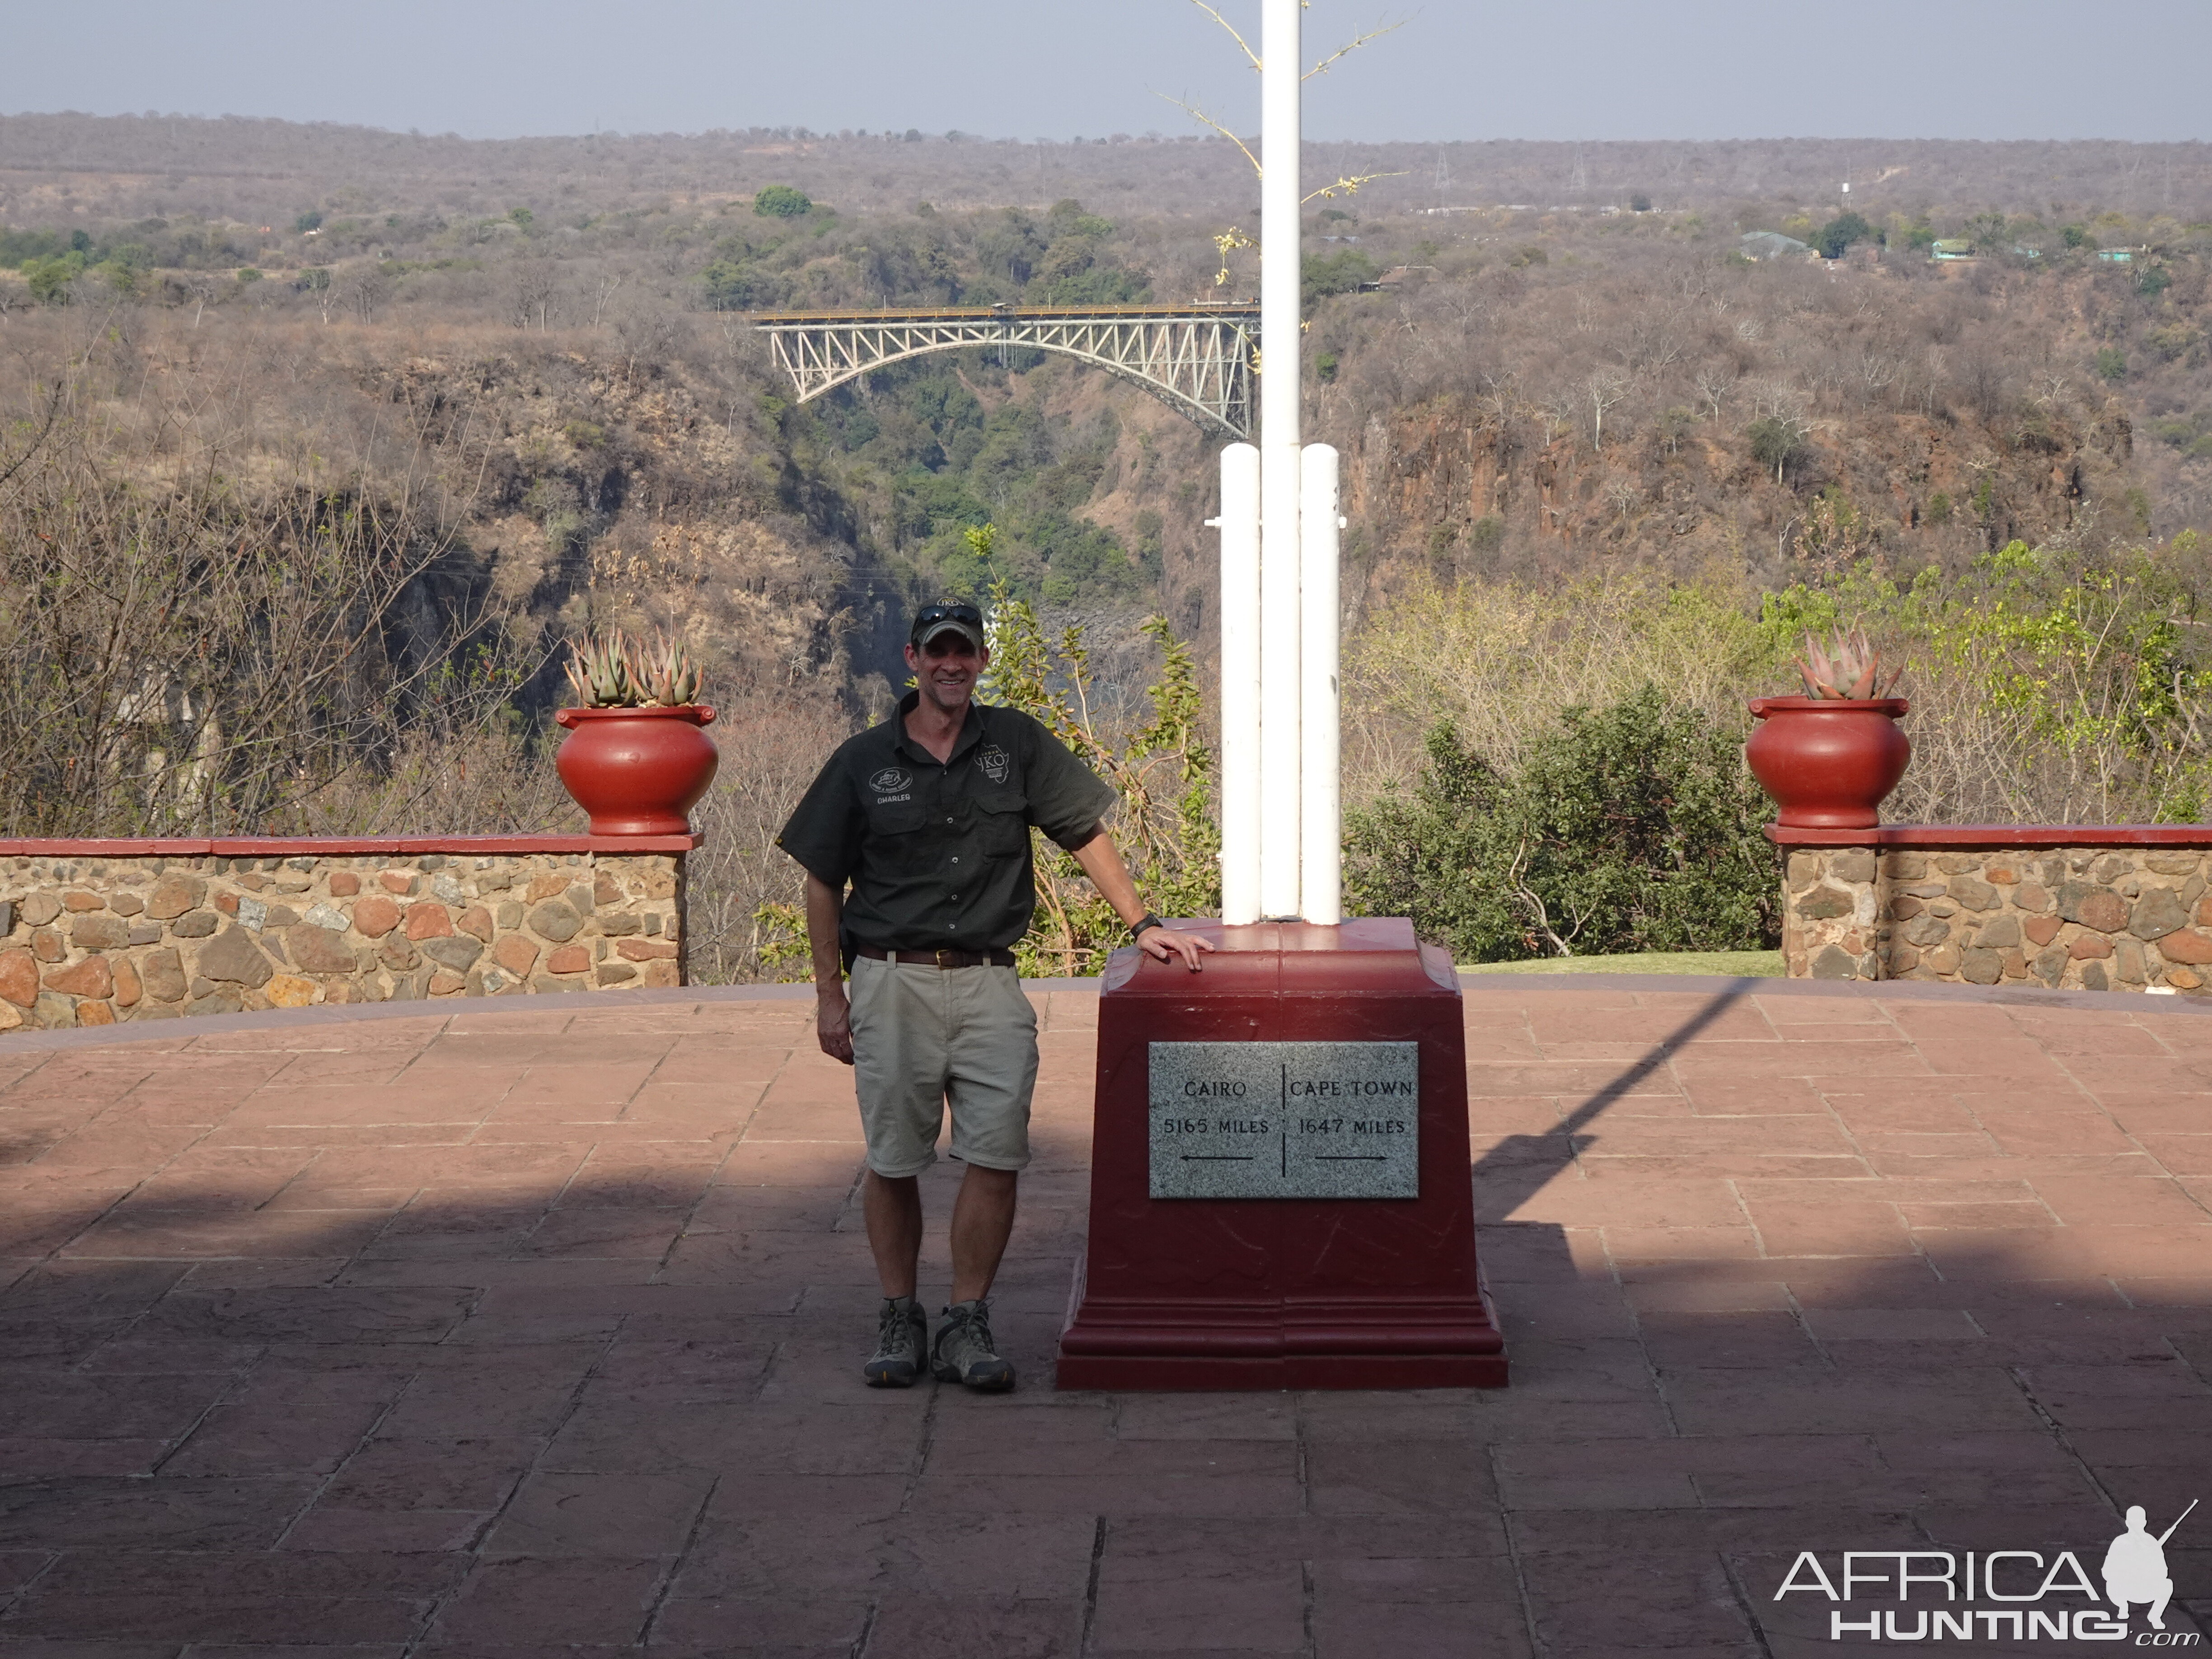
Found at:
(2125, 917)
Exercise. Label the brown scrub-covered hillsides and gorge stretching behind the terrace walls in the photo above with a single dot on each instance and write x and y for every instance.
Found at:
(317, 444)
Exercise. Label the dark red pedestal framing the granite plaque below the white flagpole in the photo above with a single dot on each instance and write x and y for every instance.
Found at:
(1282, 1293)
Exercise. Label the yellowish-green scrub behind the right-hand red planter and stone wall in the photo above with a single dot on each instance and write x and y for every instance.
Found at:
(2047, 685)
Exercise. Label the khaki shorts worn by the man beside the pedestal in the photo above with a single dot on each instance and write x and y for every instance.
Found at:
(924, 1036)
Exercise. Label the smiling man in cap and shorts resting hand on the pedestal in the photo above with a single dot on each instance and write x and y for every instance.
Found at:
(928, 820)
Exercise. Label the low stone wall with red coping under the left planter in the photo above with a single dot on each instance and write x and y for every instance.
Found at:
(167, 930)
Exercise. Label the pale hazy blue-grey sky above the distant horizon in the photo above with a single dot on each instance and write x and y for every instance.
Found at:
(1569, 70)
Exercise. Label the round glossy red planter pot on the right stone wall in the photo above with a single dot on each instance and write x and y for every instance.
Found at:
(1828, 762)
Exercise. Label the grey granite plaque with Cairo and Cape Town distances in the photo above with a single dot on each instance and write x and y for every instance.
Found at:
(1286, 1120)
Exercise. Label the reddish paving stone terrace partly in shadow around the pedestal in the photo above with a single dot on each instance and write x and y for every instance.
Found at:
(534, 1328)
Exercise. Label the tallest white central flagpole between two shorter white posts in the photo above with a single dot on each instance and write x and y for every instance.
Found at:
(1280, 459)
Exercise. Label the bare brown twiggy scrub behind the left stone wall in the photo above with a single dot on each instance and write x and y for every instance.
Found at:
(209, 638)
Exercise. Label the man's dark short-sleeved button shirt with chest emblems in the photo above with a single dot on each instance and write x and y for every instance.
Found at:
(939, 853)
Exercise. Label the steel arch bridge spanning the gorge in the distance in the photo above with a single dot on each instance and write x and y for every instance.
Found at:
(1198, 359)
